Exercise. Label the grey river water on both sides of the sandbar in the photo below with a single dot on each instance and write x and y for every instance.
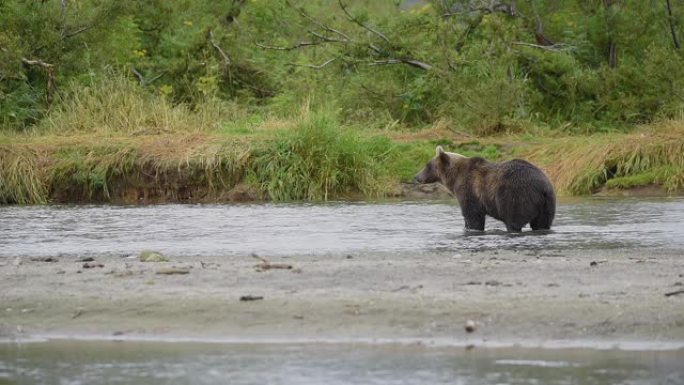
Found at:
(325, 229)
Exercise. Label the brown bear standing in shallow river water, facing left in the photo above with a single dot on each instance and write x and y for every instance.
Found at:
(515, 192)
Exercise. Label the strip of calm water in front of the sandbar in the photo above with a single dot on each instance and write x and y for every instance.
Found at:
(93, 363)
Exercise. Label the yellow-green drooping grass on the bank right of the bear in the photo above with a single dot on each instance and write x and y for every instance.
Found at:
(582, 165)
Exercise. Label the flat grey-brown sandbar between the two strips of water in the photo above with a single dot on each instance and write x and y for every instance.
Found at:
(511, 296)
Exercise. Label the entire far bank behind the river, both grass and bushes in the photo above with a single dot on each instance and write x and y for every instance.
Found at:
(295, 100)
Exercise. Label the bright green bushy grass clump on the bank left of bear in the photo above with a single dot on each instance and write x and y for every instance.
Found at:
(318, 160)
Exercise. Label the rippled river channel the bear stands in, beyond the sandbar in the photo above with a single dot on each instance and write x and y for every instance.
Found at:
(333, 228)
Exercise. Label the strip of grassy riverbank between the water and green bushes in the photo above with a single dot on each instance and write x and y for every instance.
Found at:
(308, 157)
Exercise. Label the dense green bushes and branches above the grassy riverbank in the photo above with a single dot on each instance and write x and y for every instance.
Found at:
(482, 66)
